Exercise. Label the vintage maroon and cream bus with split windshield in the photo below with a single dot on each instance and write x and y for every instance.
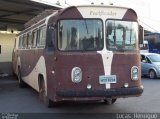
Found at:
(81, 53)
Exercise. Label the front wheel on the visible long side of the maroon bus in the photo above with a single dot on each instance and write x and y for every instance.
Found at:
(43, 95)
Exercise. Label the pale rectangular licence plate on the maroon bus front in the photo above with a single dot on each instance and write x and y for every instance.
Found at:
(103, 79)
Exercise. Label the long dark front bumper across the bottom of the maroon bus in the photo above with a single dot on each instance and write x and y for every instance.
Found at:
(122, 92)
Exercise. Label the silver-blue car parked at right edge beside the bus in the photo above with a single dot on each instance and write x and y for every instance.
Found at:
(150, 63)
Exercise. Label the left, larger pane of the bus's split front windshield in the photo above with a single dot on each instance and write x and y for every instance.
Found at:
(76, 35)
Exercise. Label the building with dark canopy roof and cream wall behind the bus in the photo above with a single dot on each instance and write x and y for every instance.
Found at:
(12, 20)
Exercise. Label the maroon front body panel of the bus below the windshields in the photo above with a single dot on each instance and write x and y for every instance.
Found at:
(90, 75)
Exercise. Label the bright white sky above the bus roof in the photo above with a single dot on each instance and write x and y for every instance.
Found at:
(147, 10)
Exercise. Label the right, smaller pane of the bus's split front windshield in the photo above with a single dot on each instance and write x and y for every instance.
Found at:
(121, 35)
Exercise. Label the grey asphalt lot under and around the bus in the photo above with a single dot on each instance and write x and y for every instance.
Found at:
(25, 100)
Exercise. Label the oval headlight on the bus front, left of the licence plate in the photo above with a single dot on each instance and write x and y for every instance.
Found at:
(76, 75)
